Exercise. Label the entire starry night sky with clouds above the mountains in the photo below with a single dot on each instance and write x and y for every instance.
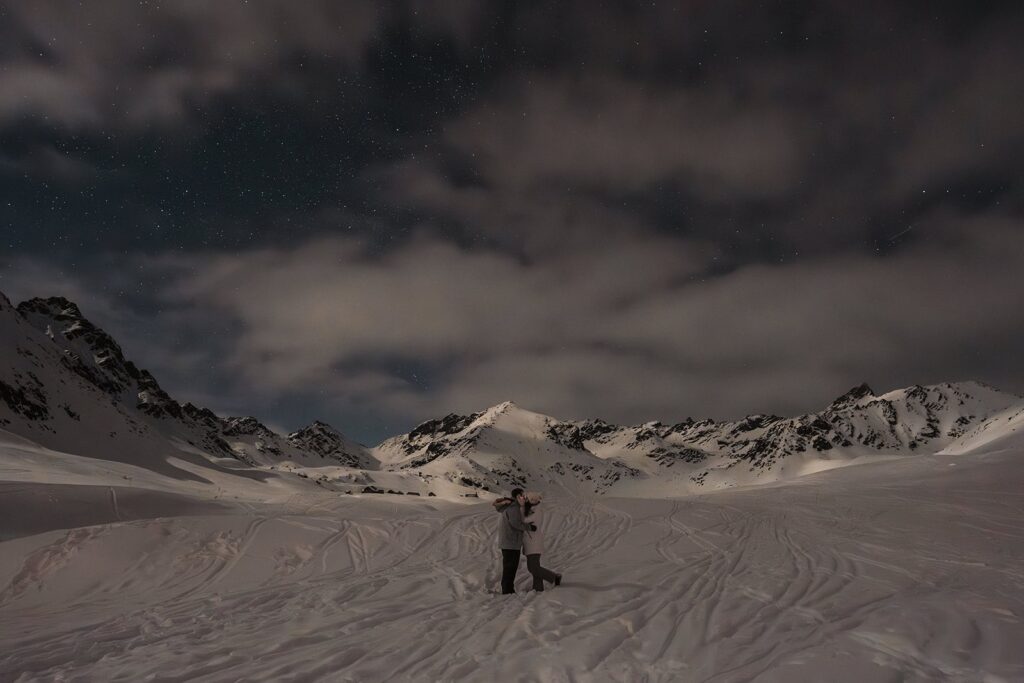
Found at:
(374, 215)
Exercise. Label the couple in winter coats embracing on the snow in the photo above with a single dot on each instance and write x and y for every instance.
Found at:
(520, 532)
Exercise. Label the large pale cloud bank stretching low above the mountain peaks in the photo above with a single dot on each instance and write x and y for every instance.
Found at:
(633, 331)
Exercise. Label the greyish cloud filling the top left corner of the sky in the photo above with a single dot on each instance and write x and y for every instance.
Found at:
(134, 65)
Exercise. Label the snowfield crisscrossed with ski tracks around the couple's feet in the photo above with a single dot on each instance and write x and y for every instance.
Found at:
(840, 578)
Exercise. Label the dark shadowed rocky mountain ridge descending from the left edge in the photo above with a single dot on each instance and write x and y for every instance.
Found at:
(66, 385)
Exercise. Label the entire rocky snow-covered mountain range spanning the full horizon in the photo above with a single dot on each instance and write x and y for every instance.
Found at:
(67, 386)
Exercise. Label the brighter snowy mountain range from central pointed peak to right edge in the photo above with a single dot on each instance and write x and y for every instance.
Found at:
(507, 446)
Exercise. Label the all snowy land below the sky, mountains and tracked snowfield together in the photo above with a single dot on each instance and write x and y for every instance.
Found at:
(144, 539)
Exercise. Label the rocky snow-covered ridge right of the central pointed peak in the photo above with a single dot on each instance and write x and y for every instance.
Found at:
(696, 456)
